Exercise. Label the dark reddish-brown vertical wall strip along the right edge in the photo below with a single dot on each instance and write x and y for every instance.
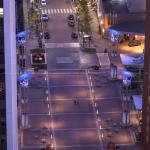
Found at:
(146, 93)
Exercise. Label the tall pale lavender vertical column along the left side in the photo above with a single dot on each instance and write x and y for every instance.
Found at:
(10, 140)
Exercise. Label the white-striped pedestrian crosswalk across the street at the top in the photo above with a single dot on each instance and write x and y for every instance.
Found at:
(55, 11)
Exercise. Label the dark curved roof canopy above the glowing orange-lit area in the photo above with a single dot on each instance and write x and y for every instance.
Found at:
(133, 27)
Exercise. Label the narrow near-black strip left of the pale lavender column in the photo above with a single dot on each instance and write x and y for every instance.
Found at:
(3, 140)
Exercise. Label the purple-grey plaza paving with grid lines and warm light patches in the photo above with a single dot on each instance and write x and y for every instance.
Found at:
(55, 118)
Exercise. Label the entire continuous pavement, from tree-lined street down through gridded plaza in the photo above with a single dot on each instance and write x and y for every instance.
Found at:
(68, 106)
